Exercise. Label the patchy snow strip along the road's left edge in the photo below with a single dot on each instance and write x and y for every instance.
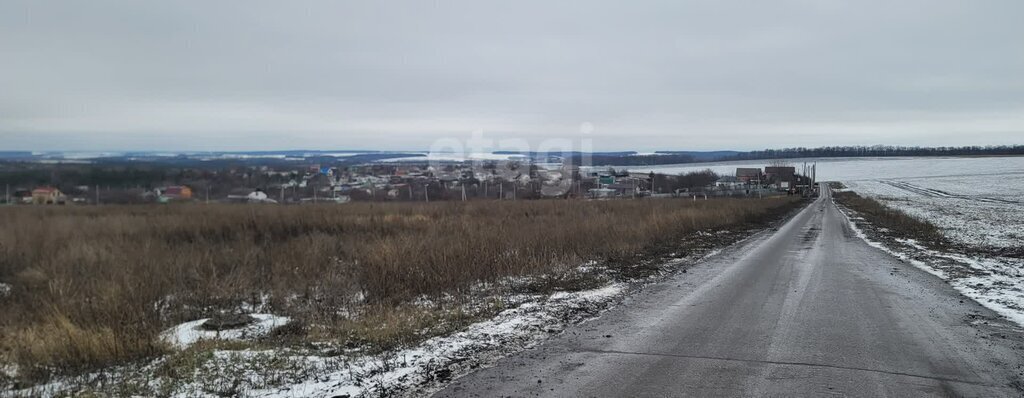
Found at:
(428, 367)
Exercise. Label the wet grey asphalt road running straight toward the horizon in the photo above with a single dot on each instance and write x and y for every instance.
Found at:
(807, 311)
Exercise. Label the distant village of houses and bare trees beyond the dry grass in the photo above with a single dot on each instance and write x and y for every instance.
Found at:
(516, 180)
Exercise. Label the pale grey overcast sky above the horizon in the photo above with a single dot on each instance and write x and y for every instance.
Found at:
(385, 75)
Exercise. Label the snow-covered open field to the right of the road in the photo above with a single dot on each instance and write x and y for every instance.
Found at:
(978, 203)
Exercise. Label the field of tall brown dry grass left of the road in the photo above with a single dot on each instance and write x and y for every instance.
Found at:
(93, 287)
